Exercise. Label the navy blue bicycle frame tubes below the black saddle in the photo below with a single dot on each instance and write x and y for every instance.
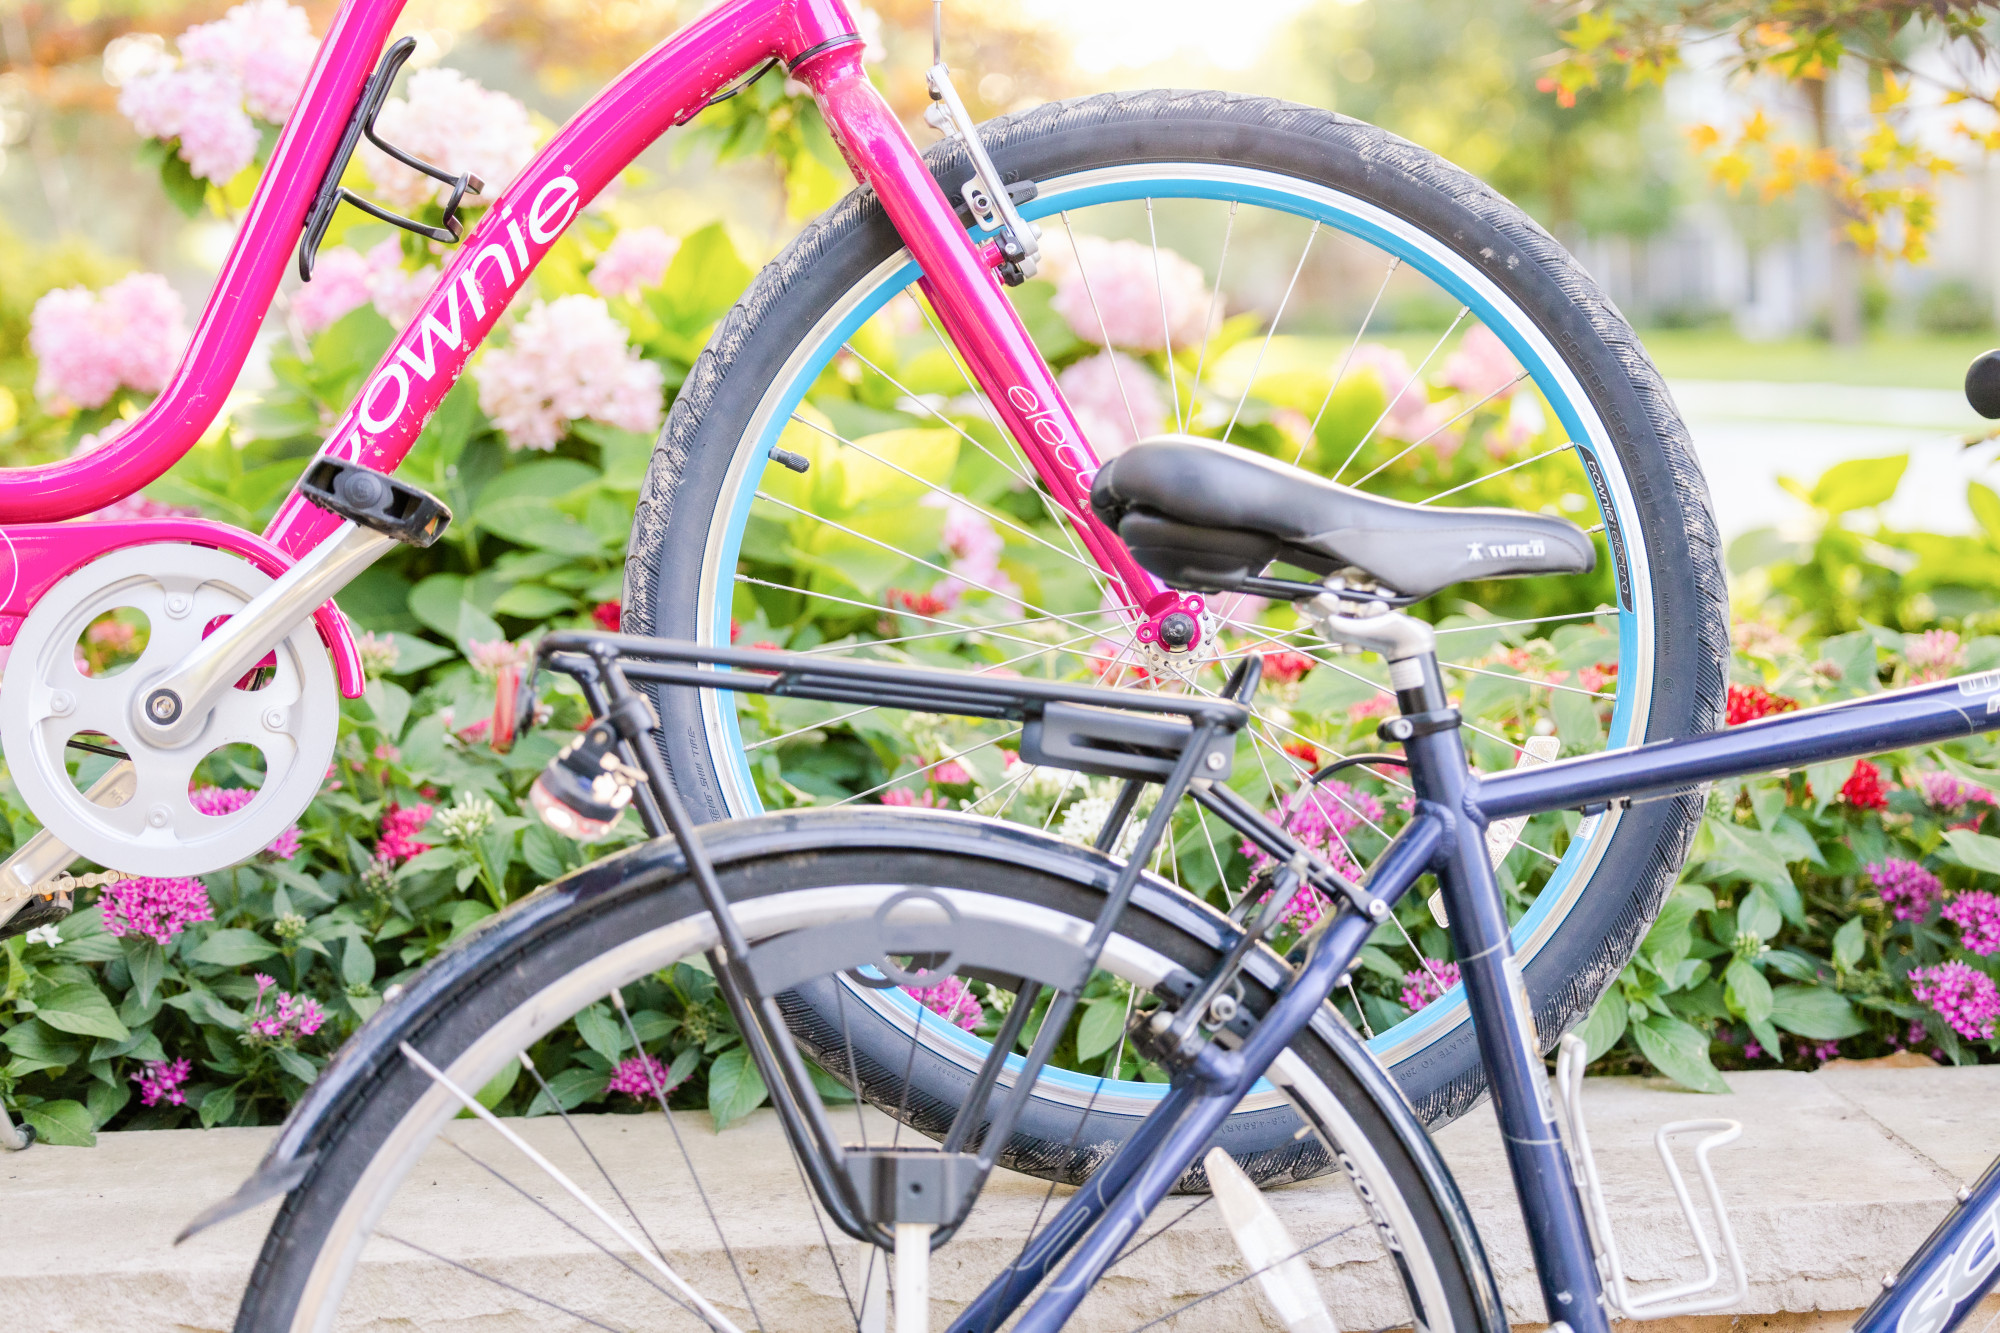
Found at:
(1445, 838)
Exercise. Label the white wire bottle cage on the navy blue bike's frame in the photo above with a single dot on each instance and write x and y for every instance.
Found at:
(1695, 1298)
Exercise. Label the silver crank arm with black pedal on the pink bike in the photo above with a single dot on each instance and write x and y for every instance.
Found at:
(379, 511)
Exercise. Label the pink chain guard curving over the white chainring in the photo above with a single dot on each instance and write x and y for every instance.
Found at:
(45, 553)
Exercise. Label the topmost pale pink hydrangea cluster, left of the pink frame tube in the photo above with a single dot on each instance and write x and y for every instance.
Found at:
(249, 63)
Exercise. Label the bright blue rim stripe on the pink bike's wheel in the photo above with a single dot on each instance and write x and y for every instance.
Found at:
(1451, 1008)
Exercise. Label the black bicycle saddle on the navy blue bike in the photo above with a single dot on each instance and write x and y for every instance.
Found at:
(1205, 517)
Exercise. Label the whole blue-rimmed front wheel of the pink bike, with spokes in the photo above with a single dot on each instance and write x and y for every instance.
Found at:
(1281, 279)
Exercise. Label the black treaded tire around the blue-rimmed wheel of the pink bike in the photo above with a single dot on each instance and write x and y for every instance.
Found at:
(1571, 968)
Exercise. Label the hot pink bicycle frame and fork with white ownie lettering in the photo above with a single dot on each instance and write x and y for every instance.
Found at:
(817, 39)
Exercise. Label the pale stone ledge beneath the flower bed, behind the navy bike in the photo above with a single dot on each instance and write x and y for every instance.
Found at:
(1837, 1178)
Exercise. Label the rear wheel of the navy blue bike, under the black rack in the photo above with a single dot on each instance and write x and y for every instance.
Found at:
(365, 1240)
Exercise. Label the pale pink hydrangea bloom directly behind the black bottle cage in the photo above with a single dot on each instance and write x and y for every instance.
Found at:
(453, 123)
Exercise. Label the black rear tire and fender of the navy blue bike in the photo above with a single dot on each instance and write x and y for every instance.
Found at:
(577, 926)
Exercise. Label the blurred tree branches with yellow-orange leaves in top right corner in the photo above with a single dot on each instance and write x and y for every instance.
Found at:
(1869, 163)
